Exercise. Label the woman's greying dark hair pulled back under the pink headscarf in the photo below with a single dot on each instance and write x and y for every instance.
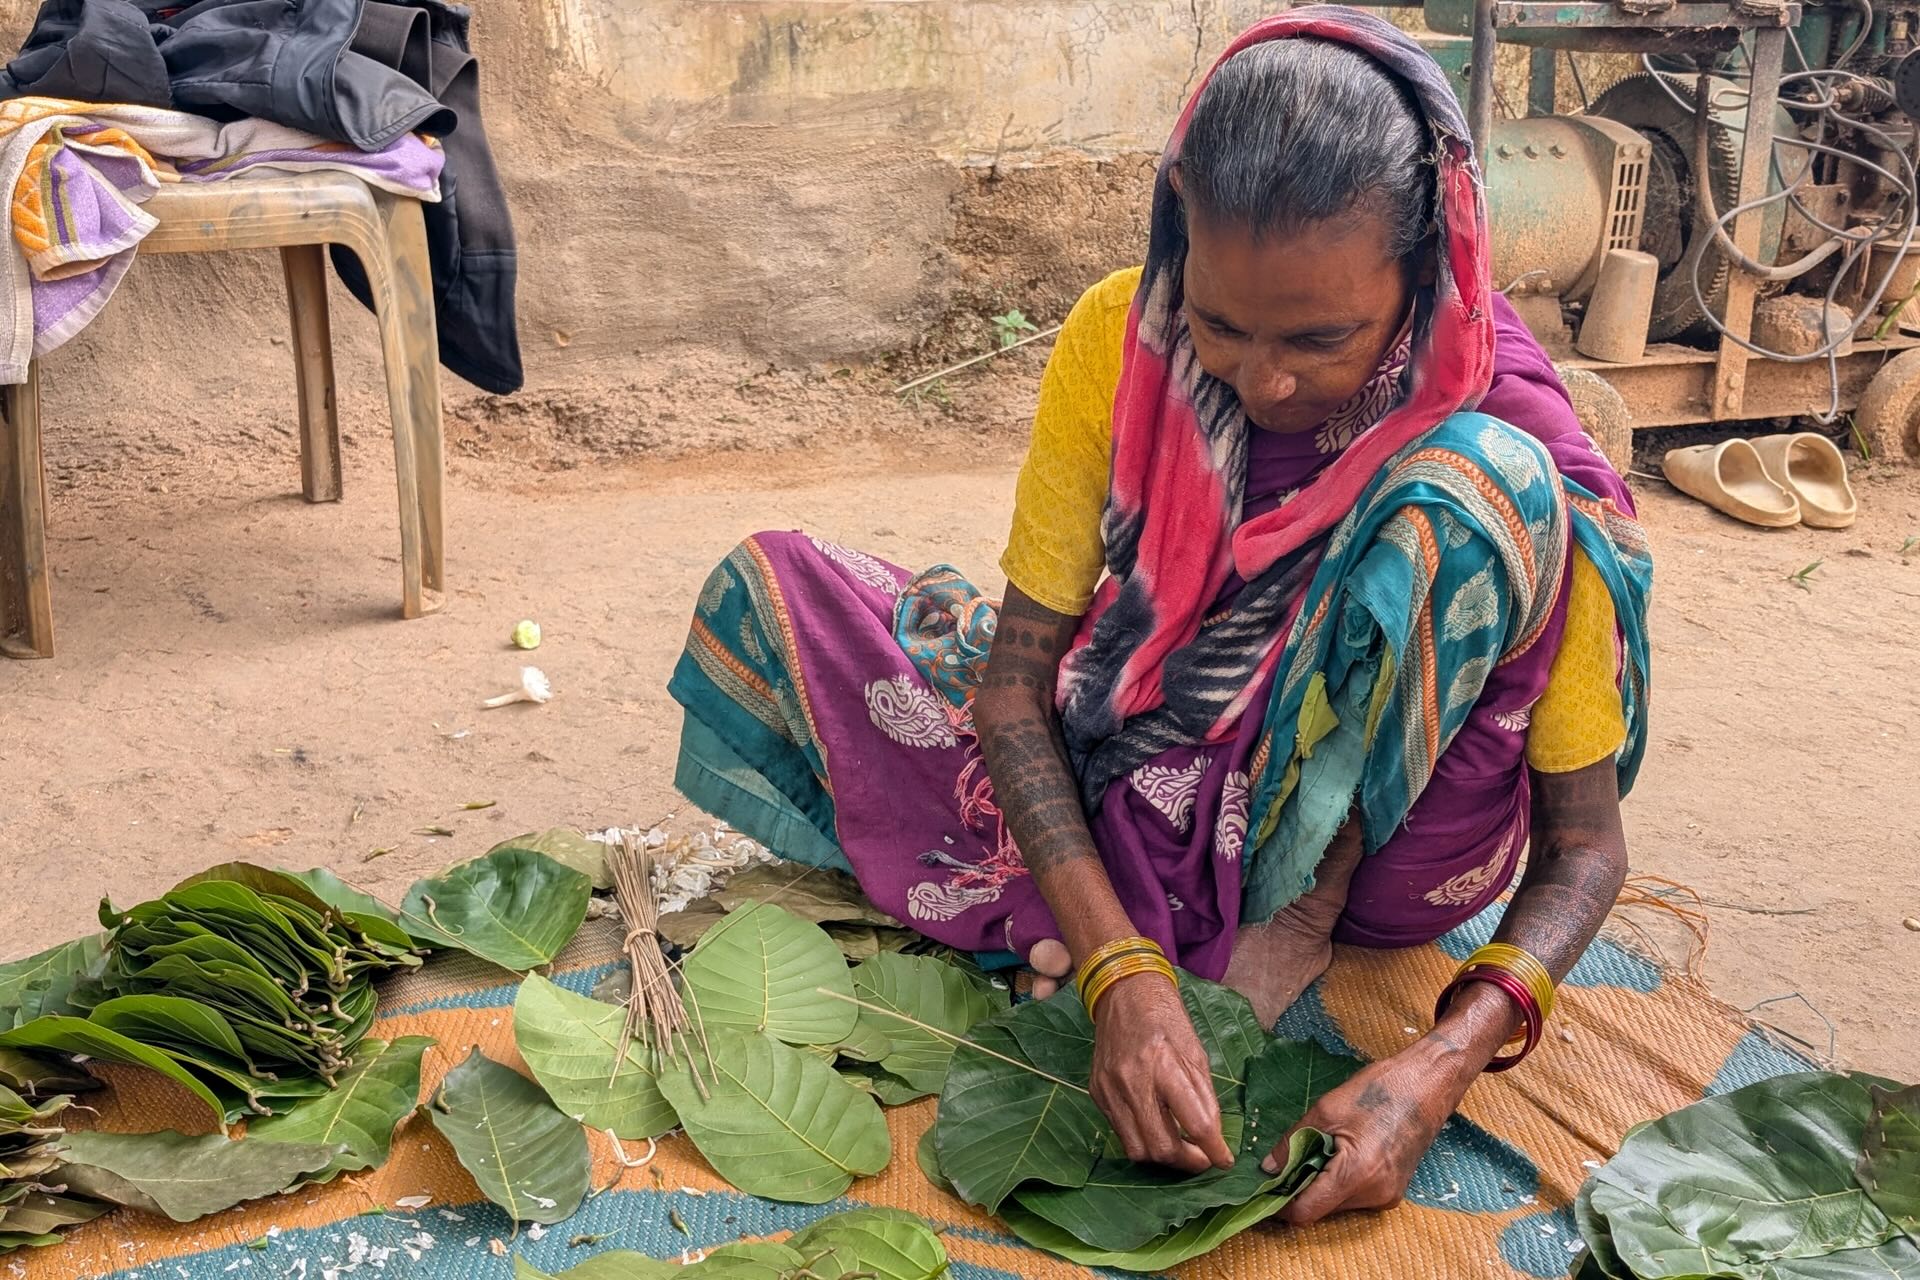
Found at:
(1291, 133)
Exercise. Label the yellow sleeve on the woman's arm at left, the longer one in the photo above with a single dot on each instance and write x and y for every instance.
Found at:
(1055, 552)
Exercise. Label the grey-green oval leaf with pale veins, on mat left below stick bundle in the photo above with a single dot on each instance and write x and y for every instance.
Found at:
(521, 1150)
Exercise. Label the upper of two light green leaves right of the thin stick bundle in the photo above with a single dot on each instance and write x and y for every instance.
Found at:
(765, 970)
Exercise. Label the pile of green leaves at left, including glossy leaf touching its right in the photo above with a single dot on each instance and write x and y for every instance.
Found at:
(251, 987)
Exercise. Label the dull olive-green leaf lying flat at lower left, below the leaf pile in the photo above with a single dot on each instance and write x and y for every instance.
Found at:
(185, 1177)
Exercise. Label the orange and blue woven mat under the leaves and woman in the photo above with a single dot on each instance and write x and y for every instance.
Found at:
(1629, 1043)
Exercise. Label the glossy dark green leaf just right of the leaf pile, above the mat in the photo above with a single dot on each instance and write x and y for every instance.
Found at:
(512, 907)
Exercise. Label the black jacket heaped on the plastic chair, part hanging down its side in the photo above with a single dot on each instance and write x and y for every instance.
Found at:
(360, 72)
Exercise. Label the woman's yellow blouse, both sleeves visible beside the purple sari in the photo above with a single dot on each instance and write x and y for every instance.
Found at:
(1055, 552)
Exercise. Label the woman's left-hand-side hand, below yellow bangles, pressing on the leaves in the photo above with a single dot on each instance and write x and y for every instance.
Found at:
(1153, 1081)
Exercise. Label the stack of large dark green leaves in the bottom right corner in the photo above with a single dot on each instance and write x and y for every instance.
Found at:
(1804, 1177)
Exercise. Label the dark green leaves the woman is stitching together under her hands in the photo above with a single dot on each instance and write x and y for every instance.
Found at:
(1020, 1137)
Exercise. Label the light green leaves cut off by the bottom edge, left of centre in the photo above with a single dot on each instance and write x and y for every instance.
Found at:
(873, 1244)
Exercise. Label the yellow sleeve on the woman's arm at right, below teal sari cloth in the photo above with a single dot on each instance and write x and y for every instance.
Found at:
(1579, 721)
